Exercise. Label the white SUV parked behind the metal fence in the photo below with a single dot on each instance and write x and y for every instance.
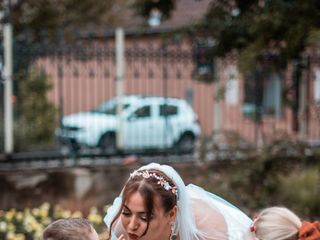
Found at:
(146, 123)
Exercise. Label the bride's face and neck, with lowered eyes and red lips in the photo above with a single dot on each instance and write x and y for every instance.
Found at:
(134, 219)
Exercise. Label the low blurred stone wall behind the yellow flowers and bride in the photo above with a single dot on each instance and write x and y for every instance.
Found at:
(74, 188)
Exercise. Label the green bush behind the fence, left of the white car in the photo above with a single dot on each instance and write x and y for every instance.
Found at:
(36, 116)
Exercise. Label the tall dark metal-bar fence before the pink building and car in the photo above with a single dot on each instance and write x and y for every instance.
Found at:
(53, 82)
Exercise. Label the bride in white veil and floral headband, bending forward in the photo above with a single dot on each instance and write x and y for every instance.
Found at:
(155, 204)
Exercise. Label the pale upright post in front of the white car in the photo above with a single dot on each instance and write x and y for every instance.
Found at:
(119, 83)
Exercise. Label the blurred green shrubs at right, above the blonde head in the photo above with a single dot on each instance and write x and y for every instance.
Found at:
(284, 172)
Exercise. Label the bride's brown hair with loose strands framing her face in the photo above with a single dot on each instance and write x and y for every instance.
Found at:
(149, 188)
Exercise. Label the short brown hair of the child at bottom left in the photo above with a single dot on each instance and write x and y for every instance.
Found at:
(68, 229)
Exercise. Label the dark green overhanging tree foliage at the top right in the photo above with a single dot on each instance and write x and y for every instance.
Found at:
(258, 30)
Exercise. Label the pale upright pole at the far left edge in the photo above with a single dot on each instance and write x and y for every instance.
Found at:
(8, 91)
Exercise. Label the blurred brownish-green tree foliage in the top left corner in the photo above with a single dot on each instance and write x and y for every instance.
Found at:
(36, 20)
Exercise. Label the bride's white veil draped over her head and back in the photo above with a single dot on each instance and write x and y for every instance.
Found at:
(186, 226)
